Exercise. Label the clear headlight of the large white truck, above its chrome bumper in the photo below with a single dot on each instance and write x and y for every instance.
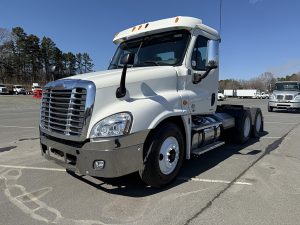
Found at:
(114, 125)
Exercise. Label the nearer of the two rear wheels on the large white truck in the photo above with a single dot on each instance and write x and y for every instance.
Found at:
(243, 127)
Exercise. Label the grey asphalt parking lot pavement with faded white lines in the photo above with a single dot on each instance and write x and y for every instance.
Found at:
(255, 183)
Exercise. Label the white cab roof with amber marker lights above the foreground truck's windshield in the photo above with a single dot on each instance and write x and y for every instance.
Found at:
(174, 23)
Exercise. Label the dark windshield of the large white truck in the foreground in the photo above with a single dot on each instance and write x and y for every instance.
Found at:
(164, 49)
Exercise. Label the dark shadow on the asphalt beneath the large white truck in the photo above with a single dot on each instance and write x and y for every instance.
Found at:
(132, 186)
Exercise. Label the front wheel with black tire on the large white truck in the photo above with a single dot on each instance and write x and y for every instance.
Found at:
(163, 155)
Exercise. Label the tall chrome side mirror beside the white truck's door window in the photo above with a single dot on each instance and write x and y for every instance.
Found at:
(212, 54)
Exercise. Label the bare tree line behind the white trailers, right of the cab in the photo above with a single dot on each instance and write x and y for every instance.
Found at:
(264, 82)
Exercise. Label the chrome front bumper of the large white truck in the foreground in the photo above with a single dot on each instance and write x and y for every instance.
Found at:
(122, 155)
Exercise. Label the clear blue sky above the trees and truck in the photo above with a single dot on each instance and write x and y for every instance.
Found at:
(257, 35)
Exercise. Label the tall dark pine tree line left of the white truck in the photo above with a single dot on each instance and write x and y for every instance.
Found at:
(25, 59)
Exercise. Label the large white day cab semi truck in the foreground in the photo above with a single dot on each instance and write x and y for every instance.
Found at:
(155, 106)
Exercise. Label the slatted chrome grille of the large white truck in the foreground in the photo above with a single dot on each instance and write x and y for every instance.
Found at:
(63, 111)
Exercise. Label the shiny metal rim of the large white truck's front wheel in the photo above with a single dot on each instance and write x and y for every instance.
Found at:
(168, 155)
